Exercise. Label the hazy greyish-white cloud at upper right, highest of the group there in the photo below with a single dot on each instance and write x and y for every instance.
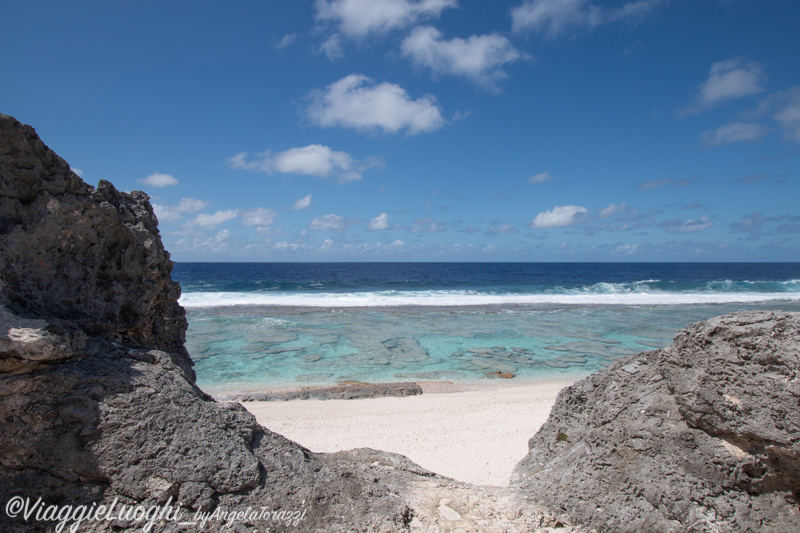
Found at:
(730, 79)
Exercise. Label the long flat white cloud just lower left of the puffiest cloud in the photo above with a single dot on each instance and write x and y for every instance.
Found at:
(312, 160)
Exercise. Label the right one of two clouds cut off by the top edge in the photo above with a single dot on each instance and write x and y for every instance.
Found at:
(554, 17)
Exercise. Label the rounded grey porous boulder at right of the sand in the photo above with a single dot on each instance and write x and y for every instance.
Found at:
(701, 436)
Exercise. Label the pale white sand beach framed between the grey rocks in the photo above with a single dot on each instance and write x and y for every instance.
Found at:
(475, 435)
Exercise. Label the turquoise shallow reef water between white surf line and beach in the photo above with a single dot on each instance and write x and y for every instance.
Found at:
(245, 348)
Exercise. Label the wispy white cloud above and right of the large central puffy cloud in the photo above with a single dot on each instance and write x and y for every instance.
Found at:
(479, 58)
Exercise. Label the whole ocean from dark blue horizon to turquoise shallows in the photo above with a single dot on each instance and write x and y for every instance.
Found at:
(267, 325)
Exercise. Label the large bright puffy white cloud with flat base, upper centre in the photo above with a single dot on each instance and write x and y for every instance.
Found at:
(356, 102)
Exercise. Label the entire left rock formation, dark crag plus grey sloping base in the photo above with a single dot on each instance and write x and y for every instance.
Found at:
(98, 402)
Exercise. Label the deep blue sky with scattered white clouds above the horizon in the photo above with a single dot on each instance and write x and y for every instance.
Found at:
(428, 130)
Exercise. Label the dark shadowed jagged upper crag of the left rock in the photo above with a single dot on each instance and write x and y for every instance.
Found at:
(92, 257)
